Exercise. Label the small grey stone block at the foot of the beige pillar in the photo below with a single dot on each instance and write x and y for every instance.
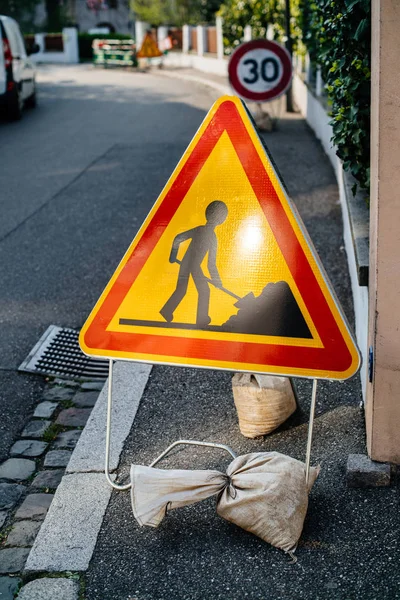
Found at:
(363, 472)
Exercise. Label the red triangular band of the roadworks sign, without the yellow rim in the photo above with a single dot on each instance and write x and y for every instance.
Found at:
(334, 357)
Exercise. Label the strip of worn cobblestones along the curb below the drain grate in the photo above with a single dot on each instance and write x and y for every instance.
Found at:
(29, 478)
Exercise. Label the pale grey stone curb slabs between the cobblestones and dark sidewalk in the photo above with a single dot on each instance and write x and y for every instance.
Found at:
(68, 536)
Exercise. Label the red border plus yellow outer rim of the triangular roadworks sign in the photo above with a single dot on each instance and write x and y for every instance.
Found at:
(337, 344)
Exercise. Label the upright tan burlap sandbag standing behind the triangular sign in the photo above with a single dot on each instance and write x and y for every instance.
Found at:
(263, 402)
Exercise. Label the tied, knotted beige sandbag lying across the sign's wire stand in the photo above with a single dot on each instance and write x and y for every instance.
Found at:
(264, 493)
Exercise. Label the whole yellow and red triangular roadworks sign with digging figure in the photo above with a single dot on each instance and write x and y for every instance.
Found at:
(222, 273)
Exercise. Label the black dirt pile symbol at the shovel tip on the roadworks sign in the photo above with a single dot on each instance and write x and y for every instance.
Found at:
(274, 312)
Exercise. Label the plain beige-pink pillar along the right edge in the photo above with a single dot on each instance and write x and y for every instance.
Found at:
(383, 392)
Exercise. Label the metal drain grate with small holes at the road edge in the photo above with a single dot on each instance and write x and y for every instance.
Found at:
(58, 353)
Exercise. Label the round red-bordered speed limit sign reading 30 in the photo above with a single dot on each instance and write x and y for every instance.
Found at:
(260, 70)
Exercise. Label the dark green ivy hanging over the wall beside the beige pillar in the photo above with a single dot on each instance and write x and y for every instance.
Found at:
(338, 37)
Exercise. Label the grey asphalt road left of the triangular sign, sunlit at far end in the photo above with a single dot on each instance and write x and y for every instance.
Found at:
(78, 175)
